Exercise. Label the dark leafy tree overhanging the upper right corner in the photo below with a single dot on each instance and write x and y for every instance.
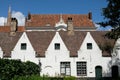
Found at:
(112, 18)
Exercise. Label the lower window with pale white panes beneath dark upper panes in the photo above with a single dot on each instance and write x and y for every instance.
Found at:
(65, 68)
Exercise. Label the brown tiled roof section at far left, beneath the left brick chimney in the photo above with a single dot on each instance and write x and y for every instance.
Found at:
(7, 42)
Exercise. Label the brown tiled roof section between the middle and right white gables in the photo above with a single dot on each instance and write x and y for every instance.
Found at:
(73, 42)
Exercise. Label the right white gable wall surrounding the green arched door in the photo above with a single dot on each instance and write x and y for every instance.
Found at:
(93, 56)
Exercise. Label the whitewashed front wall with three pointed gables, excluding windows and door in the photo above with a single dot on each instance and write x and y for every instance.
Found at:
(51, 61)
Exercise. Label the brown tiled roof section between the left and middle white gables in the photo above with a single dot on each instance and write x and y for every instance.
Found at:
(40, 41)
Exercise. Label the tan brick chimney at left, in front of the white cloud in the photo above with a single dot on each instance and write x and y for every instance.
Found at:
(13, 26)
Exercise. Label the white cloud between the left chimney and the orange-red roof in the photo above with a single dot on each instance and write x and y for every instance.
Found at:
(20, 17)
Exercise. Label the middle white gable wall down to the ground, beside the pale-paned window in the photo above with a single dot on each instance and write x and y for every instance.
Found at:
(51, 62)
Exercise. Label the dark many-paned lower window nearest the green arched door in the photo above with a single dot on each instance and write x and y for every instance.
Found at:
(81, 69)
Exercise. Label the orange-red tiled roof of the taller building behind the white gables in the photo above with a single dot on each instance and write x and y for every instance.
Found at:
(41, 20)
